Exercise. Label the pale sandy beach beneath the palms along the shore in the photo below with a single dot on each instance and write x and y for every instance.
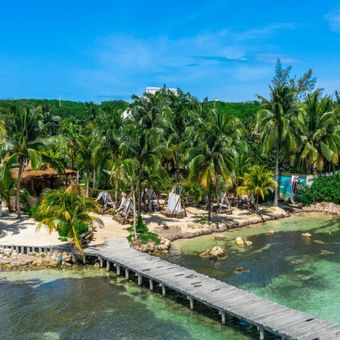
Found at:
(25, 232)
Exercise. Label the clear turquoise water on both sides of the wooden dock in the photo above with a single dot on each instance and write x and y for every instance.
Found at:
(90, 304)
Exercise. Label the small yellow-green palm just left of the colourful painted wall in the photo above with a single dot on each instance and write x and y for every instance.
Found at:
(257, 181)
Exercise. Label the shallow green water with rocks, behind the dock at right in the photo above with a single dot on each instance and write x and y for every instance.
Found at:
(284, 267)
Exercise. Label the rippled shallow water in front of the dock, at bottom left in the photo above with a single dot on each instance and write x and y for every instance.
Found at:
(89, 304)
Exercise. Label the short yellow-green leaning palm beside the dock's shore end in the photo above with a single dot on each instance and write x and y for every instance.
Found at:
(67, 209)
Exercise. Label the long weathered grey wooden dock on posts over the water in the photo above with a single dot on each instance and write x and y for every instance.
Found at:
(266, 315)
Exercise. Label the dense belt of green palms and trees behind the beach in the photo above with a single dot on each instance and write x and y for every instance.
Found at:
(171, 140)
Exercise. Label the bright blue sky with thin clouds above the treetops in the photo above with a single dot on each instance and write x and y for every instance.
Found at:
(100, 50)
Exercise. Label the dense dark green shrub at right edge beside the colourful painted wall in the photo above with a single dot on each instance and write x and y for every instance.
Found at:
(323, 189)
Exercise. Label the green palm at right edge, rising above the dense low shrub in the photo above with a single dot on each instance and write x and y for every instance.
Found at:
(320, 131)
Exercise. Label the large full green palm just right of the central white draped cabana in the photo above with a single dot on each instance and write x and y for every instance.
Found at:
(211, 155)
